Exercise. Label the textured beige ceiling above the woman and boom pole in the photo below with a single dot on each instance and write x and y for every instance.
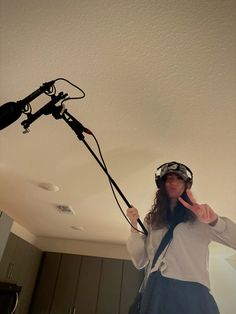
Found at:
(159, 78)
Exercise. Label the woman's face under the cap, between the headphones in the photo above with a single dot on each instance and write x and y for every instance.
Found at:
(174, 185)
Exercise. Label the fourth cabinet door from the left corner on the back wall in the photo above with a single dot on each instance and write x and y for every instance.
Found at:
(110, 286)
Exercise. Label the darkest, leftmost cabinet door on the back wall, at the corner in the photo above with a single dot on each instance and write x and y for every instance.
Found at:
(45, 287)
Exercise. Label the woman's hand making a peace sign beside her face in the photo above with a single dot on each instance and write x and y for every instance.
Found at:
(203, 212)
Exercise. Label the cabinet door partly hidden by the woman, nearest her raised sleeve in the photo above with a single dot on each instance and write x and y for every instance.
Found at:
(131, 282)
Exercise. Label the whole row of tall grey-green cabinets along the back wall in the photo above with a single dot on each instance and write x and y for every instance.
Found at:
(83, 284)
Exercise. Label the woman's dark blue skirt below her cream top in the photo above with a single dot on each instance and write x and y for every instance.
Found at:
(164, 295)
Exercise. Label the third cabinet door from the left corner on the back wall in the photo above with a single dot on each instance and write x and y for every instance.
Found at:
(88, 285)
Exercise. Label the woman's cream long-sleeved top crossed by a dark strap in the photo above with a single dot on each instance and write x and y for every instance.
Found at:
(187, 256)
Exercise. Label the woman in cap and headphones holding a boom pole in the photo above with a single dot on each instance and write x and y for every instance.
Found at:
(179, 281)
